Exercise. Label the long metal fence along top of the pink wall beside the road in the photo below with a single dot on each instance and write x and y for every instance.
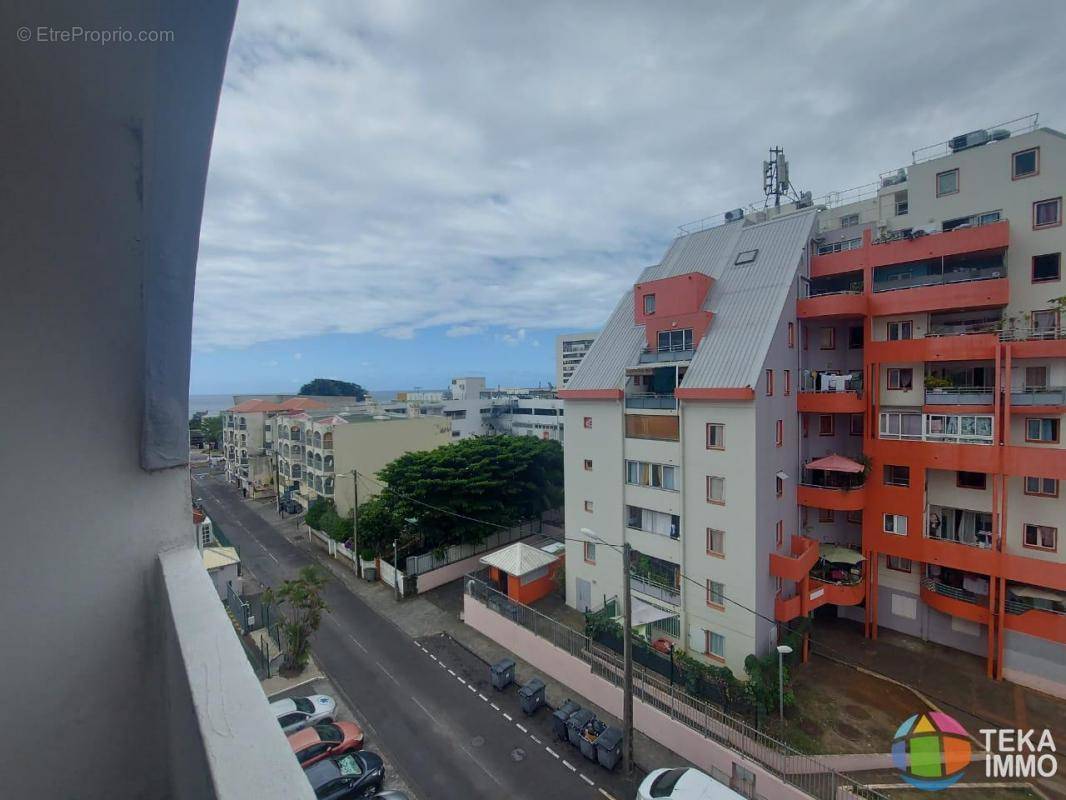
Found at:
(803, 772)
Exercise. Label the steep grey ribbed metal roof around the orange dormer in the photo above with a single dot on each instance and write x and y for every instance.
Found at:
(747, 301)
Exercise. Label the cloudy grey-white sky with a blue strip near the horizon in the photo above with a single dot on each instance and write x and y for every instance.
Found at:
(405, 191)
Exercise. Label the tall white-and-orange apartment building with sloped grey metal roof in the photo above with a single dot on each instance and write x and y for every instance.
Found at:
(849, 411)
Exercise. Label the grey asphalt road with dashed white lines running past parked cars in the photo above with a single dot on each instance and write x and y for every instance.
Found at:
(446, 742)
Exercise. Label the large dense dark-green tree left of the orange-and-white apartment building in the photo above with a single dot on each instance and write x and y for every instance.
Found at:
(448, 492)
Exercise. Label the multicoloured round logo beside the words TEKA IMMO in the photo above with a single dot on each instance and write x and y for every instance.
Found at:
(931, 750)
